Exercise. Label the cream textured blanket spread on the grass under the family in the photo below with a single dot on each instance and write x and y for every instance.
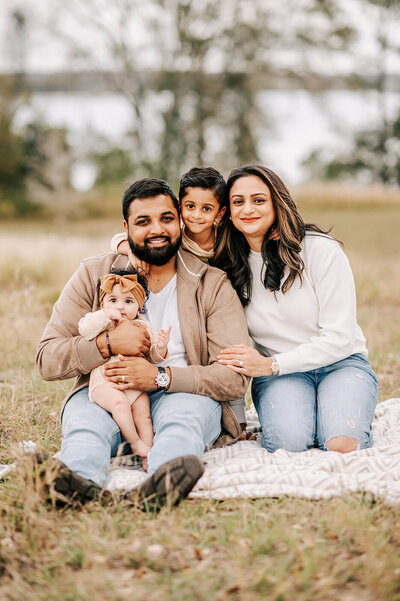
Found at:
(245, 469)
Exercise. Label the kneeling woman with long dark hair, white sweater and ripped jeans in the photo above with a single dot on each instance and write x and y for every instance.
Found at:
(312, 382)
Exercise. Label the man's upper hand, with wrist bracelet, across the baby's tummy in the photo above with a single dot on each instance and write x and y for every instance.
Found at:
(126, 339)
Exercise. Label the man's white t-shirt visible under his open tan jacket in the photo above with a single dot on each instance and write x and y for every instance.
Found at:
(161, 310)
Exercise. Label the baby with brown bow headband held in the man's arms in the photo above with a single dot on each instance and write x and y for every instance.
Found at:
(122, 294)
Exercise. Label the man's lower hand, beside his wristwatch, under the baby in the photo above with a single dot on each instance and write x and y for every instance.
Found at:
(131, 372)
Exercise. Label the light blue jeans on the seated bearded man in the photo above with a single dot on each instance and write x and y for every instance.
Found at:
(184, 424)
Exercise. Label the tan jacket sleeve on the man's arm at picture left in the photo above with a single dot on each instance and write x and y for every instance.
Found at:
(62, 352)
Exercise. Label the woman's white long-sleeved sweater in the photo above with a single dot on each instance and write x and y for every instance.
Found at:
(314, 324)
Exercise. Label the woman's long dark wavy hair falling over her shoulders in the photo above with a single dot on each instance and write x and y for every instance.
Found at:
(232, 249)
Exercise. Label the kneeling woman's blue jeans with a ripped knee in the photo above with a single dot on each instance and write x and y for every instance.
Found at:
(299, 410)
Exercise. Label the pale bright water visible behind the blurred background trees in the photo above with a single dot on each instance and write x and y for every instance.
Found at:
(298, 123)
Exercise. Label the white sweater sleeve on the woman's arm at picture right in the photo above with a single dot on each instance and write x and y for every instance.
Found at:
(331, 276)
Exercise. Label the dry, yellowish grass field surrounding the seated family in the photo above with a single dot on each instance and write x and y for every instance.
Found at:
(279, 549)
